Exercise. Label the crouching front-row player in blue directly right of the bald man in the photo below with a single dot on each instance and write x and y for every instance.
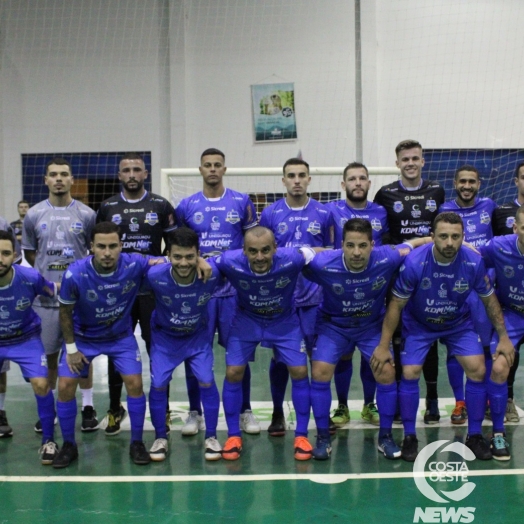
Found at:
(355, 280)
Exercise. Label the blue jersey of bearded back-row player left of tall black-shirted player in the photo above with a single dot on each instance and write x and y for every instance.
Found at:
(375, 213)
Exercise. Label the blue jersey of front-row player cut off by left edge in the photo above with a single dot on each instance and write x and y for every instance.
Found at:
(18, 321)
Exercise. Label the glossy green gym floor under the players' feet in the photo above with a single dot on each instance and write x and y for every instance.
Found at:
(266, 484)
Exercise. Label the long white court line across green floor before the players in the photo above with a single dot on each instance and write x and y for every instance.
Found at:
(320, 478)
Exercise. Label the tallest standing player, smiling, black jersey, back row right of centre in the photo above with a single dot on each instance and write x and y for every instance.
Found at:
(412, 204)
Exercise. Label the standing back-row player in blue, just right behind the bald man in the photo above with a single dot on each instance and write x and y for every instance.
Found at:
(296, 221)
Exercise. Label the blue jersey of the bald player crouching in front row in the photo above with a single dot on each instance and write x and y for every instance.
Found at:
(268, 296)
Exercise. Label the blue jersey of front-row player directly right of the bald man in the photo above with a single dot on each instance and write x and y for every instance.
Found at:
(355, 299)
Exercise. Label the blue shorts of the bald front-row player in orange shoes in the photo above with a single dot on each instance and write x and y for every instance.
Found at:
(285, 337)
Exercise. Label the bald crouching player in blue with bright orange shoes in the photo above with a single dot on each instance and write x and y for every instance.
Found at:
(265, 279)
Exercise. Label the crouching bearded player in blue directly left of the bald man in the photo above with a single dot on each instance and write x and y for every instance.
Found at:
(179, 333)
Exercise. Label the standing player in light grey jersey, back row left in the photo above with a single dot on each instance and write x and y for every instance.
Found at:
(55, 234)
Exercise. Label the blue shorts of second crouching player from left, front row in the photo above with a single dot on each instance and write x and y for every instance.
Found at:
(123, 351)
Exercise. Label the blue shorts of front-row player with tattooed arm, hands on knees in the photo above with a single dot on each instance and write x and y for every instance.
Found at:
(461, 341)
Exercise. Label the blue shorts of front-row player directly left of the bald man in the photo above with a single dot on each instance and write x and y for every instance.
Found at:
(168, 352)
